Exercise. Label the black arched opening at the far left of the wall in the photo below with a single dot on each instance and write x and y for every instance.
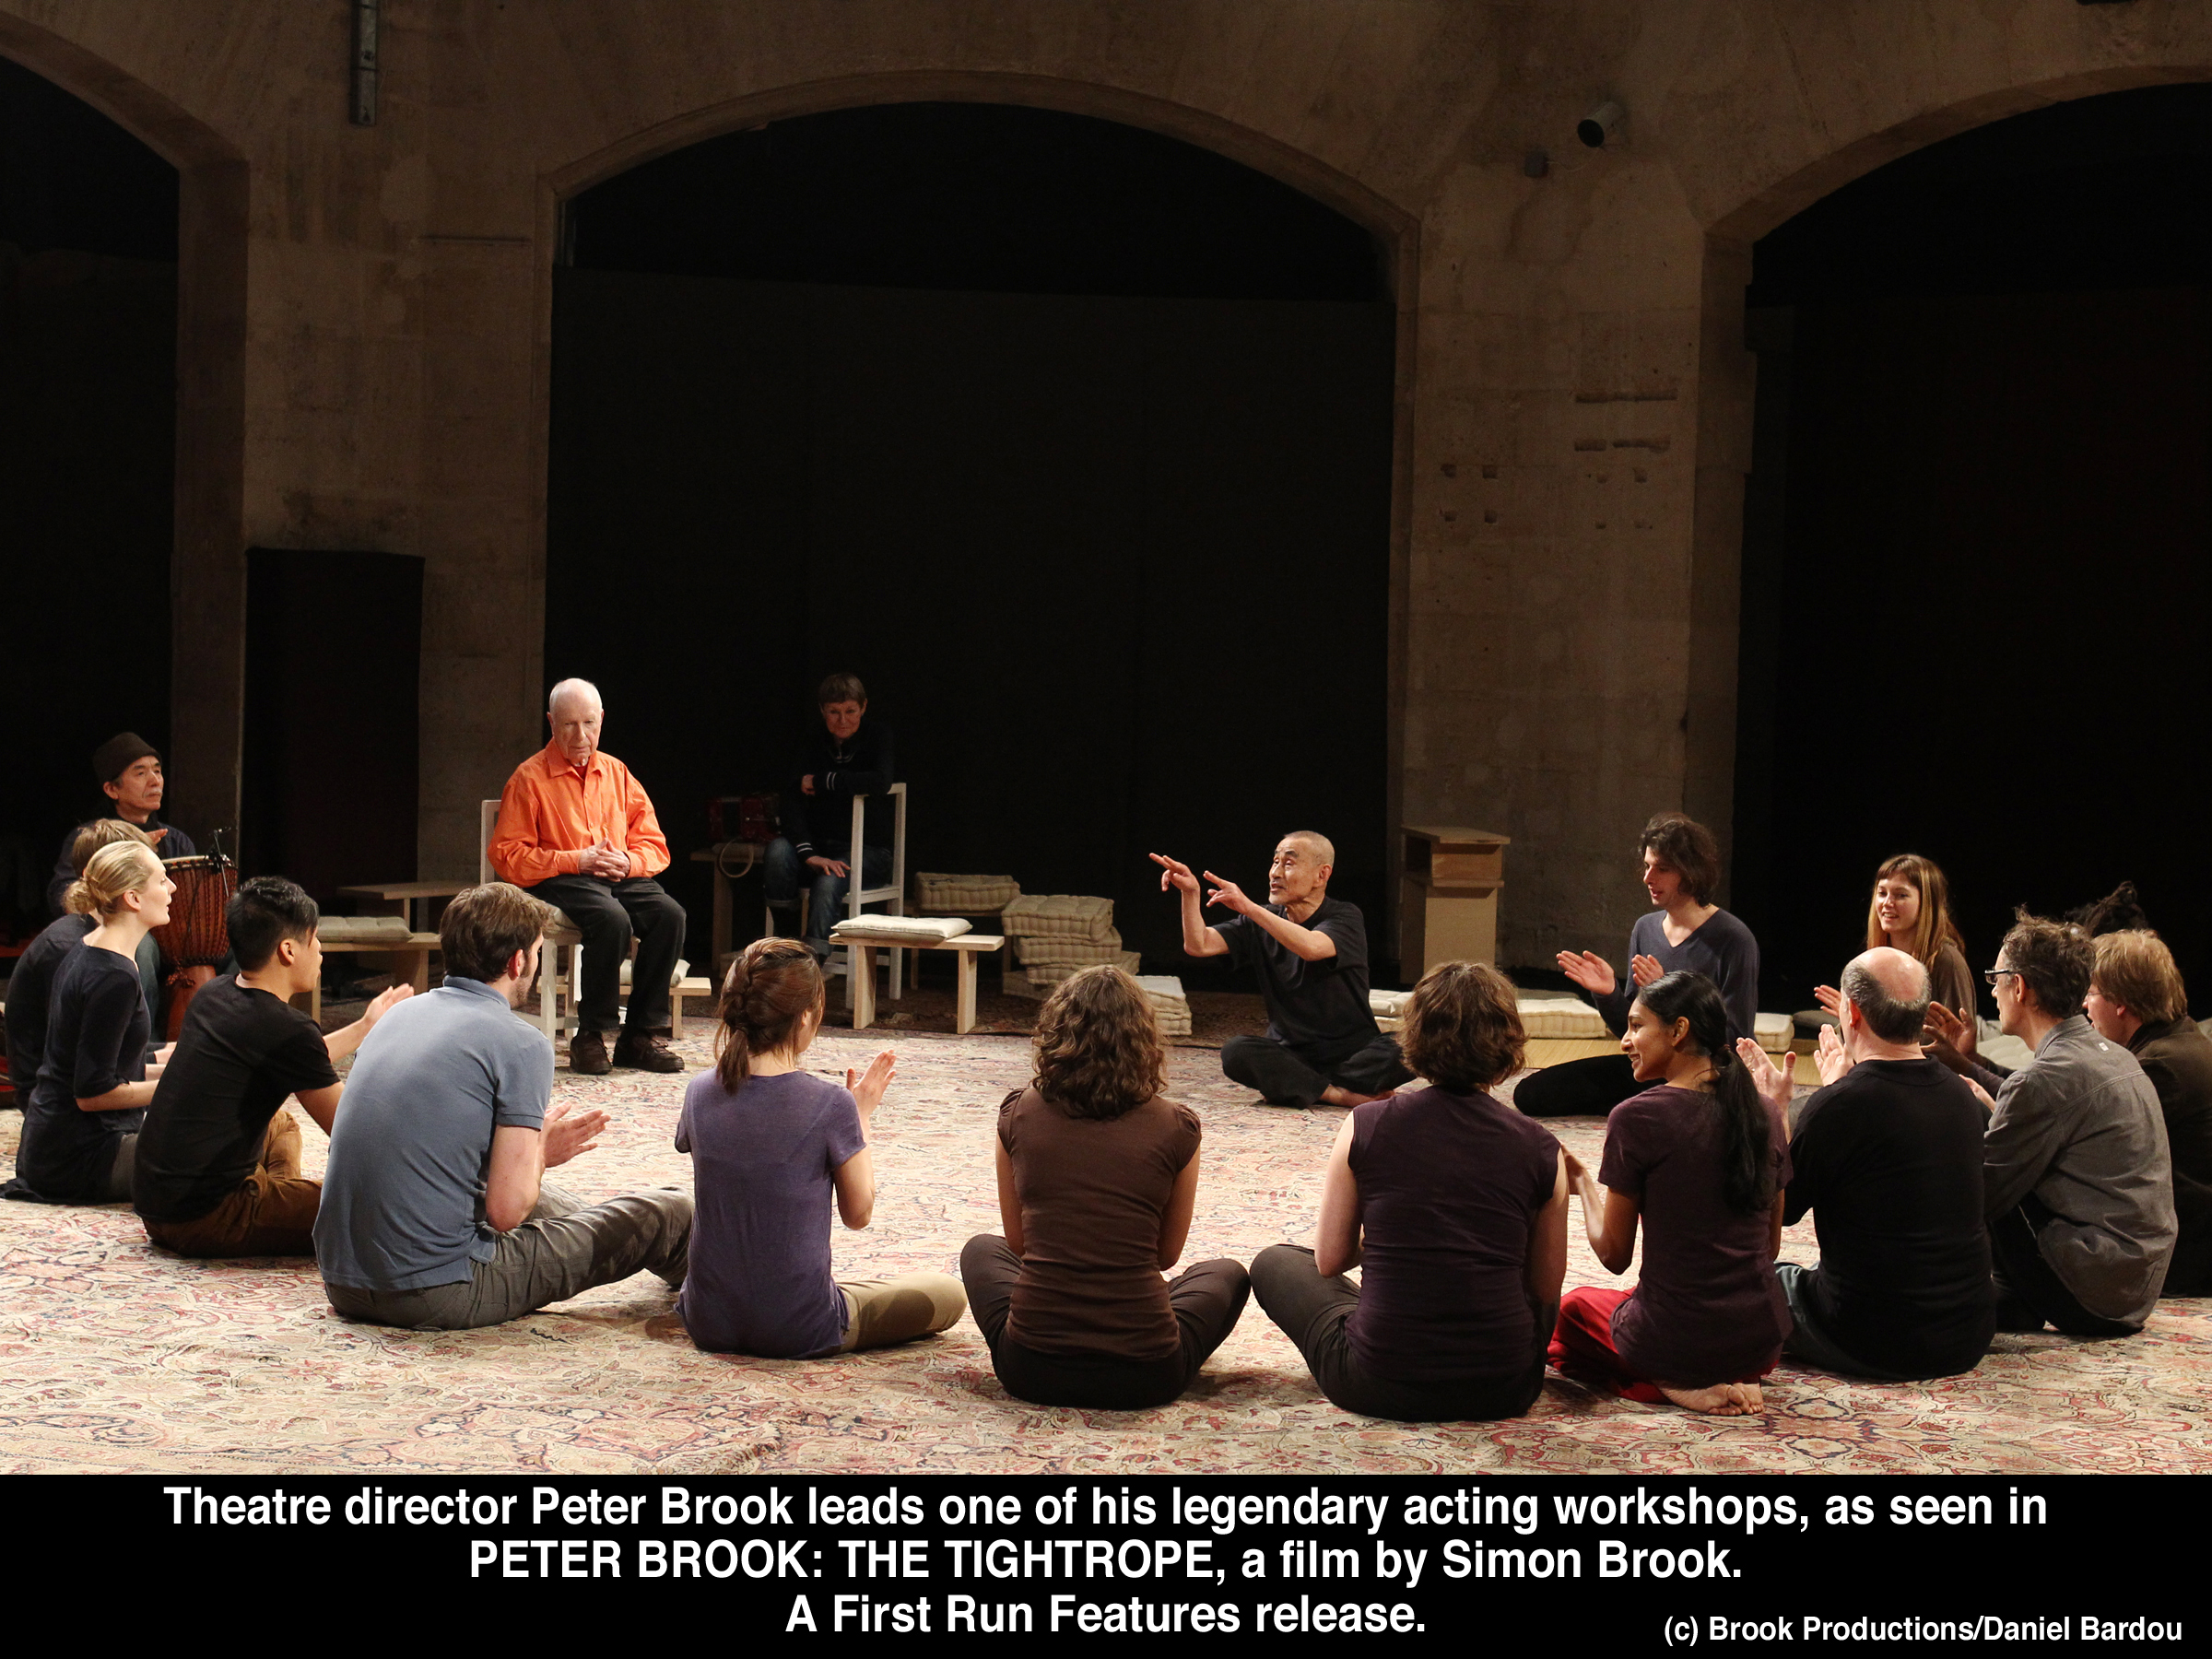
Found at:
(87, 461)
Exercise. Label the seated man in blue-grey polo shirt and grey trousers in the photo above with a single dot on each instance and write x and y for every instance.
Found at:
(435, 1207)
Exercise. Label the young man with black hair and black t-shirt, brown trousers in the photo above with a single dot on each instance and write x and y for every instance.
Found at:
(218, 1160)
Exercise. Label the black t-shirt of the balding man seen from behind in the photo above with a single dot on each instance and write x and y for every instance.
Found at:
(1890, 1165)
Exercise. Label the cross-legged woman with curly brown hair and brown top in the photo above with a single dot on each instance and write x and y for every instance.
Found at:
(1096, 1185)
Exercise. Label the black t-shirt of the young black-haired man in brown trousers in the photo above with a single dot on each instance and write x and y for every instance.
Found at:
(238, 1058)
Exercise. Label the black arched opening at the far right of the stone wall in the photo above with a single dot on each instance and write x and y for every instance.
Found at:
(1981, 534)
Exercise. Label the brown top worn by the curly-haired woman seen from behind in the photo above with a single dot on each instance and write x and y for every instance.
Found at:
(1094, 1202)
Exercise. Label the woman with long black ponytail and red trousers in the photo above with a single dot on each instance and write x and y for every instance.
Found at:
(1702, 1162)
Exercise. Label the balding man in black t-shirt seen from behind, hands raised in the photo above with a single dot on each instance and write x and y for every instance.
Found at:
(1888, 1158)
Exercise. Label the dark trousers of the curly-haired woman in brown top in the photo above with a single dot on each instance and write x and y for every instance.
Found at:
(1207, 1302)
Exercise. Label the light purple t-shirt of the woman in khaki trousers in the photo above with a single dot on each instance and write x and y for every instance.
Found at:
(762, 1176)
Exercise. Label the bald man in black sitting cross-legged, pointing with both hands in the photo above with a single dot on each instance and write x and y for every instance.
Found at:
(1311, 957)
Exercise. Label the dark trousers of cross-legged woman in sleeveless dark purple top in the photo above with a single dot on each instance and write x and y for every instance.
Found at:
(1313, 1313)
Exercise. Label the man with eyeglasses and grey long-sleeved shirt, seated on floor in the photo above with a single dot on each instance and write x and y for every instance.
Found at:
(2076, 1171)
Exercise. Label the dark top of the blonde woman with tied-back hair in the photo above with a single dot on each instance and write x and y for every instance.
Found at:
(96, 1043)
